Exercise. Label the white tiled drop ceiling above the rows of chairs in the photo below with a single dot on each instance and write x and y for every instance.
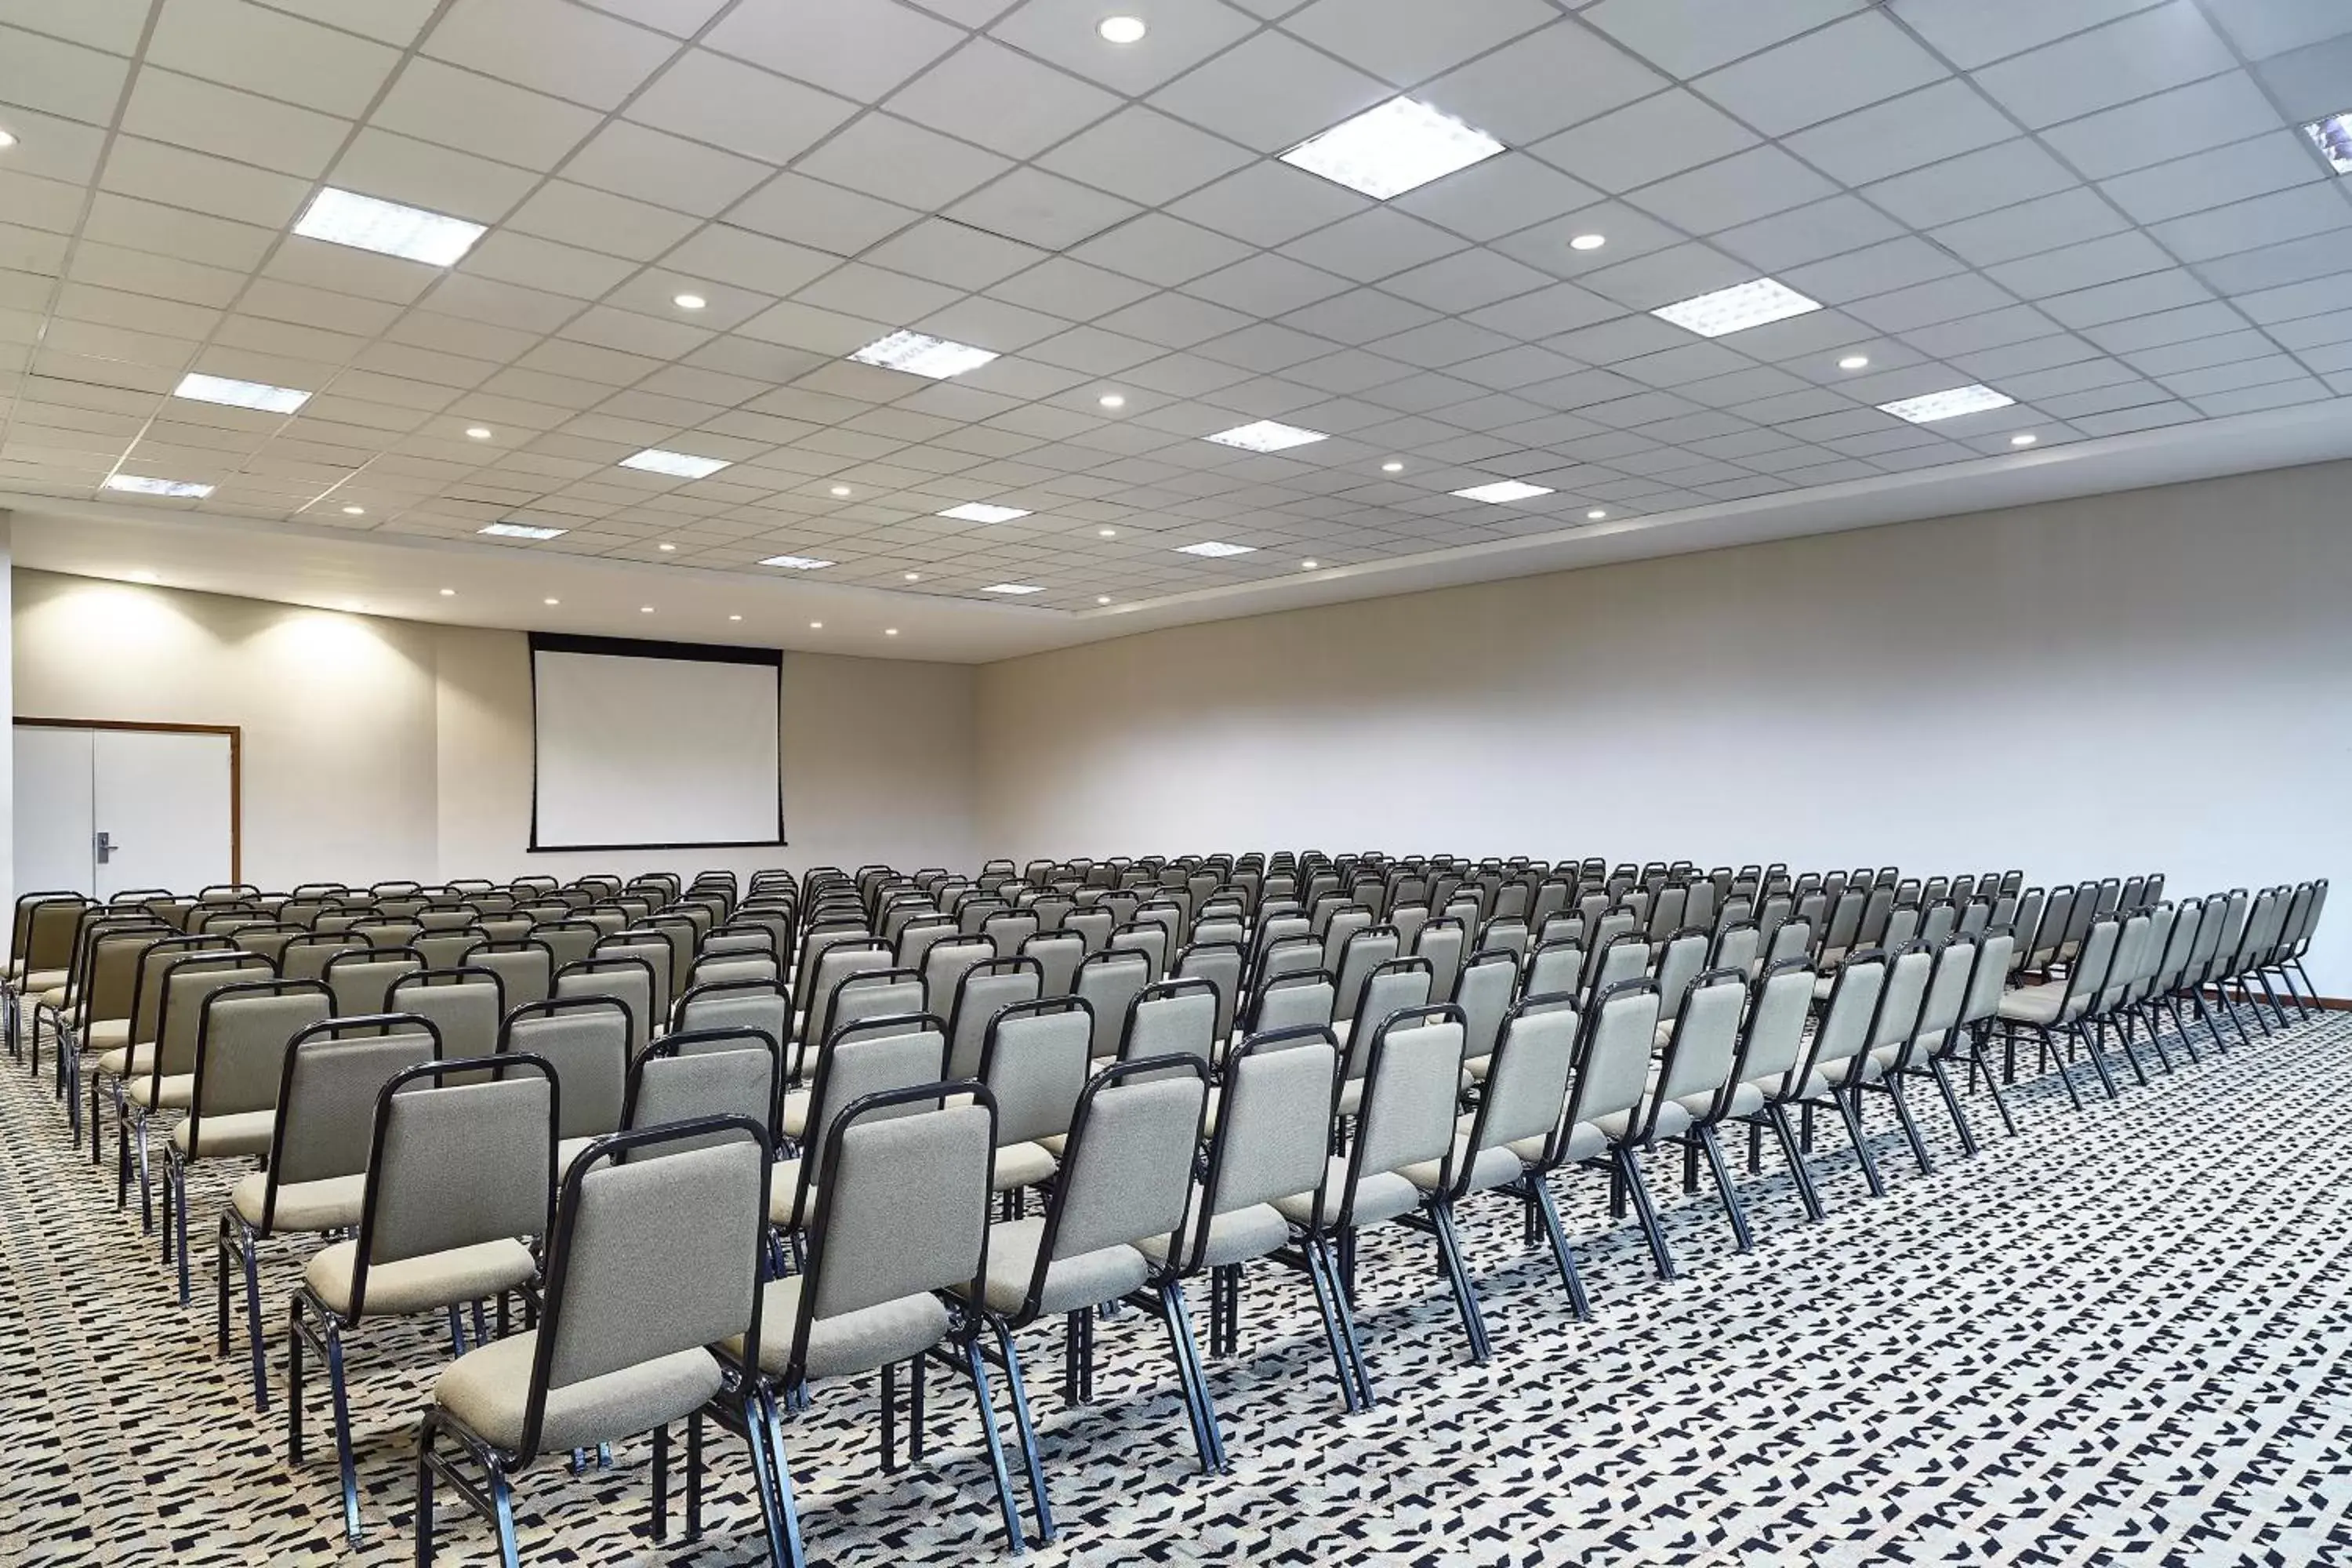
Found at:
(2104, 210)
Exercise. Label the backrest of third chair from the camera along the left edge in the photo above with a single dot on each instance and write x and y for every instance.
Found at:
(328, 1097)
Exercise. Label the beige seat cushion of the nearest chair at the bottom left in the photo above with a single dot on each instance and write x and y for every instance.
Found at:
(488, 1391)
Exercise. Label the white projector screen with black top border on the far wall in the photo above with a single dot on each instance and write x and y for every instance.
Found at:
(655, 744)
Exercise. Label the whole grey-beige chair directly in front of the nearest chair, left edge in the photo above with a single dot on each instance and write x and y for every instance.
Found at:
(460, 1179)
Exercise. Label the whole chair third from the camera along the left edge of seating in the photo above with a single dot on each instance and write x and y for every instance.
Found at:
(314, 1181)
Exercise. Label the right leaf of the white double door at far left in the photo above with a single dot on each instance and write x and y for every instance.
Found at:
(161, 810)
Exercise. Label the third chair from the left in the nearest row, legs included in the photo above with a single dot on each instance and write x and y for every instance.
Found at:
(1128, 1177)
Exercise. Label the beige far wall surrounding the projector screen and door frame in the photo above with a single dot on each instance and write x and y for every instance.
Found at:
(389, 749)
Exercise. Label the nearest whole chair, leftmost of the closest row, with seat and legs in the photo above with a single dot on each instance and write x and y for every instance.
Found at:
(653, 1261)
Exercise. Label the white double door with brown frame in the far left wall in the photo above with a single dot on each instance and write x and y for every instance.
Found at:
(112, 810)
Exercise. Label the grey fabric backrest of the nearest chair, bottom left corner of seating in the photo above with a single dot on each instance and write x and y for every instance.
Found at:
(650, 1259)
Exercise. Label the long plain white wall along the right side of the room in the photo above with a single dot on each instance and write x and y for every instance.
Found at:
(2127, 683)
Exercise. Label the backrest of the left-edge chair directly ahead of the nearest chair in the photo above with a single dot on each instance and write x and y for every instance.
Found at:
(457, 1162)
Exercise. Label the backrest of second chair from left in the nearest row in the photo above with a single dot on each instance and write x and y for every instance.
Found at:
(902, 1207)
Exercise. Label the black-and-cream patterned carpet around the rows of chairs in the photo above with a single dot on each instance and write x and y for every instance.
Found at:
(2116, 1339)
